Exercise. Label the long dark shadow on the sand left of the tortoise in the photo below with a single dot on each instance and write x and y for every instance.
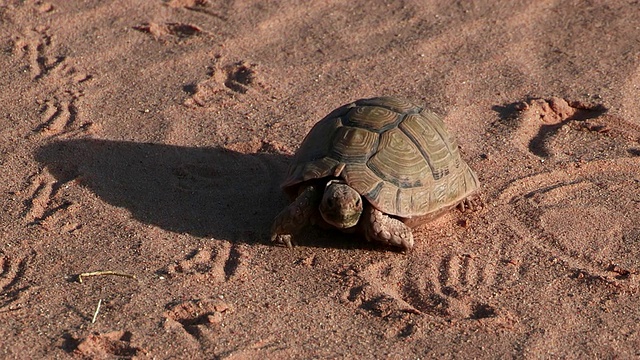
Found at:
(207, 192)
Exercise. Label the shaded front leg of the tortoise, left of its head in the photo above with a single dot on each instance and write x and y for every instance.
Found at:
(295, 216)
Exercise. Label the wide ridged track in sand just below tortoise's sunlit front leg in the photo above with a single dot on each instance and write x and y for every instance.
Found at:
(450, 286)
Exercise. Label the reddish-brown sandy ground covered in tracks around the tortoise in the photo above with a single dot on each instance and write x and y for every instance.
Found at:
(150, 137)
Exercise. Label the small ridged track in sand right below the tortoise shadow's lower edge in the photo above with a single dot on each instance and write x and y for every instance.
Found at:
(223, 262)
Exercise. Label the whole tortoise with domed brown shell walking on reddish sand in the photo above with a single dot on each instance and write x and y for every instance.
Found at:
(379, 166)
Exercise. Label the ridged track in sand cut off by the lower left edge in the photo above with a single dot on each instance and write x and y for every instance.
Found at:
(12, 270)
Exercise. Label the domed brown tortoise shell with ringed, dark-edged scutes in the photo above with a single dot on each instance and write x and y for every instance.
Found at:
(397, 155)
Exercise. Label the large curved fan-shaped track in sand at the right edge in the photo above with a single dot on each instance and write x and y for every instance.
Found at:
(556, 211)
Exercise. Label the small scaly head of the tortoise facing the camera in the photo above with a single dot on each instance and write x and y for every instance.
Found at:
(341, 205)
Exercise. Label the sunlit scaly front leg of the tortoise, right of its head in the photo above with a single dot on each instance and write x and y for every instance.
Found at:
(380, 227)
